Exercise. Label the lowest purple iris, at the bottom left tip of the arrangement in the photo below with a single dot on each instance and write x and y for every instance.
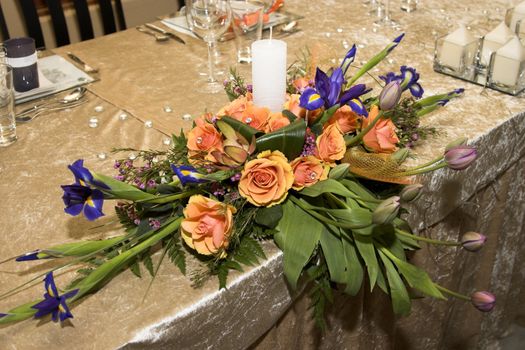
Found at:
(54, 303)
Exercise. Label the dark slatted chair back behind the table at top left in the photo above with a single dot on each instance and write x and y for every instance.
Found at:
(58, 19)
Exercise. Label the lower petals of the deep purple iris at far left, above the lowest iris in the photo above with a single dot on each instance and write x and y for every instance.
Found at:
(78, 198)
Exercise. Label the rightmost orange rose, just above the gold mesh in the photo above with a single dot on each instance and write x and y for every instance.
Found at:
(382, 138)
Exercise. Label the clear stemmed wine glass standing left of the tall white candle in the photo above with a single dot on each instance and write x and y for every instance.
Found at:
(209, 19)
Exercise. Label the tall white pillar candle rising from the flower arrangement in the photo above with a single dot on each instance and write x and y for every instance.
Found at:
(269, 73)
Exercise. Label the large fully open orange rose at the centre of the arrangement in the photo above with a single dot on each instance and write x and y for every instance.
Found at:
(265, 181)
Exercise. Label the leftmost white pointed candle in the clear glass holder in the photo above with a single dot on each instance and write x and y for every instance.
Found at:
(457, 47)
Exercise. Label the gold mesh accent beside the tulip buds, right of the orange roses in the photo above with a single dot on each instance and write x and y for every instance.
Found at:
(376, 166)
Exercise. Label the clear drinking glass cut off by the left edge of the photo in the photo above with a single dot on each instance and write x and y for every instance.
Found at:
(7, 106)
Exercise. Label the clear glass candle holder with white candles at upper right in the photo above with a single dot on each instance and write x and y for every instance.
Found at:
(502, 72)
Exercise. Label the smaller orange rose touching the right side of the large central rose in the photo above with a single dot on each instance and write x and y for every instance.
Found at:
(308, 171)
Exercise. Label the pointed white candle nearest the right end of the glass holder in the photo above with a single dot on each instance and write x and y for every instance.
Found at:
(507, 63)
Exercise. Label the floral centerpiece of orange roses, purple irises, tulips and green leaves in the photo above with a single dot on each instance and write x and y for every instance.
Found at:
(324, 179)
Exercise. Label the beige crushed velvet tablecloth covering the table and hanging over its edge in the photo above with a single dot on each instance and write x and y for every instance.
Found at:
(139, 77)
